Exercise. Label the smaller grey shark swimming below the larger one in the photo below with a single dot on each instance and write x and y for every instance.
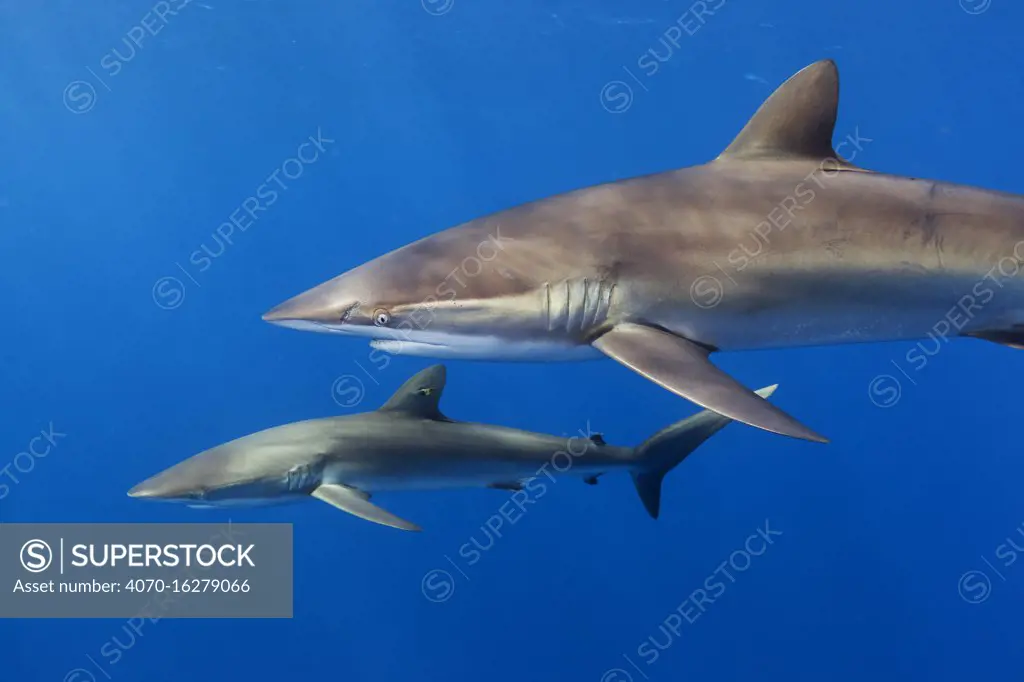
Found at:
(408, 444)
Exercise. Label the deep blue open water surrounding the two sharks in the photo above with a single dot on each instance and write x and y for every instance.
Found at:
(111, 182)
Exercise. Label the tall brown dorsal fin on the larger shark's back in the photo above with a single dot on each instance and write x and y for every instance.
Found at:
(797, 121)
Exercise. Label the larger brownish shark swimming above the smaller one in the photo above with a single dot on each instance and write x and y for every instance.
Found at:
(659, 272)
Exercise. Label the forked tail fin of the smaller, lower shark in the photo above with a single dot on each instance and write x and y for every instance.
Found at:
(664, 451)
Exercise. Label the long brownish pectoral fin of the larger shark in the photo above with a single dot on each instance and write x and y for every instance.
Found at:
(685, 368)
